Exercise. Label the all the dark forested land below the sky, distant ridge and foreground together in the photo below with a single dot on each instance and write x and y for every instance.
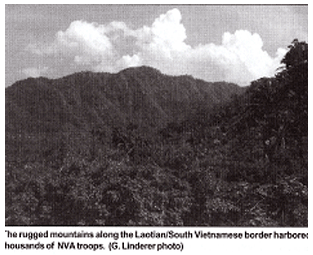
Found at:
(143, 148)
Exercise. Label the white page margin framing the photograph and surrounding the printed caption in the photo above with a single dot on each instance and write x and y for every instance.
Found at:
(203, 246)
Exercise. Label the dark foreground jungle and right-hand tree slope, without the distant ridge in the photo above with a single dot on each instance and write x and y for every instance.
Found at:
(243, 163)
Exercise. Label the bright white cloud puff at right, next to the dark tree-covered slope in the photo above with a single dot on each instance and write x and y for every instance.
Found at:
(240, 58)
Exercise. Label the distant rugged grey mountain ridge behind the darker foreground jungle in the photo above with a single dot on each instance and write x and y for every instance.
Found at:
(142, 95)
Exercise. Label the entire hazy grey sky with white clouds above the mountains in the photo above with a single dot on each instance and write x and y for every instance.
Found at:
(237, 43)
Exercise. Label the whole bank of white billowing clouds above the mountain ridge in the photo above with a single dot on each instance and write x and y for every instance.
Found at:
(114, 46)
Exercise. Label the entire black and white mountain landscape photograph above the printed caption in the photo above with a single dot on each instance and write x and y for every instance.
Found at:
(132, 115)
